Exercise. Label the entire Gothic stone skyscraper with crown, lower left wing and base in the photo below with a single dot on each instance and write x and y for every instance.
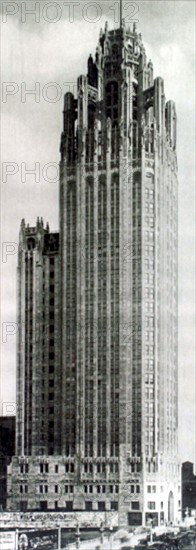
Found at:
(97, 353)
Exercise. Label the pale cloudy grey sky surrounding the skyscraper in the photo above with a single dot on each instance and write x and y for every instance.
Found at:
(48, 50)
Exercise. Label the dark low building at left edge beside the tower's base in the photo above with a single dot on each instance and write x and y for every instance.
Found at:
(7, 450)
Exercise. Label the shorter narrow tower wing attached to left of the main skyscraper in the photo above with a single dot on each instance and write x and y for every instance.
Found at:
(38, 384)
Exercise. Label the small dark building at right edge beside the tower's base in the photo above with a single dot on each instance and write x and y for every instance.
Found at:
(188, 488)
